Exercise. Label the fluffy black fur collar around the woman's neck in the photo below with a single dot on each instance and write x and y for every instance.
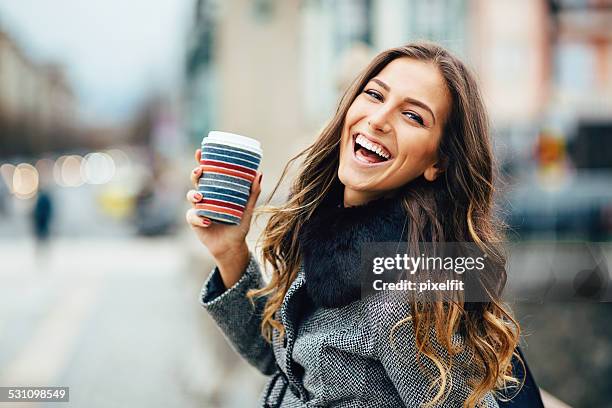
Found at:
(331, 243)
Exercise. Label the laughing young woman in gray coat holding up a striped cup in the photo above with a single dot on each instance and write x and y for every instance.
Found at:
(407, 157)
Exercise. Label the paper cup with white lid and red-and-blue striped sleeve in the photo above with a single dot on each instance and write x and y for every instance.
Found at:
(229, 163)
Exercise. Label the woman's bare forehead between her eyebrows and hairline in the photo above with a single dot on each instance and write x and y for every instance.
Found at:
(416, 79)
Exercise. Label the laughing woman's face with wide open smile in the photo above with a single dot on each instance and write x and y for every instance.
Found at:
(392, 130)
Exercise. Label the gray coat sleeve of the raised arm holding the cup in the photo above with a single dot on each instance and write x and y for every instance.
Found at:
(238, 320)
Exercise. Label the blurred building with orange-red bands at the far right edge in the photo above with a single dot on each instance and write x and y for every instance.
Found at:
(582, 77)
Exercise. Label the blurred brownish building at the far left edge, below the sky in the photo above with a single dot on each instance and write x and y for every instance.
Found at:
(37, 105)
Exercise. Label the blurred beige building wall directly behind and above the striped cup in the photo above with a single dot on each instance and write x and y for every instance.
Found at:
(242, 74)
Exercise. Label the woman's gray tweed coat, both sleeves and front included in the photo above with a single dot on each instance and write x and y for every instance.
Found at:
(332, 357)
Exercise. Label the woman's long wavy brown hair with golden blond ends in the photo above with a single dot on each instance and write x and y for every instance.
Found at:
(457, 207)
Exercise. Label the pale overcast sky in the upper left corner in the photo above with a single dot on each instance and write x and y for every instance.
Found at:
(114, 51)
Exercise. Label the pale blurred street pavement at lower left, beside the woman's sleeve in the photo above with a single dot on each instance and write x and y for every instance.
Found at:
(116, 320)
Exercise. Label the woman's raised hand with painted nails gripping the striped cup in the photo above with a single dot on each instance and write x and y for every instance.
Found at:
(226, 243)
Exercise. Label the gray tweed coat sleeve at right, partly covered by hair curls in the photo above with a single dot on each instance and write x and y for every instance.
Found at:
(399, 358)
